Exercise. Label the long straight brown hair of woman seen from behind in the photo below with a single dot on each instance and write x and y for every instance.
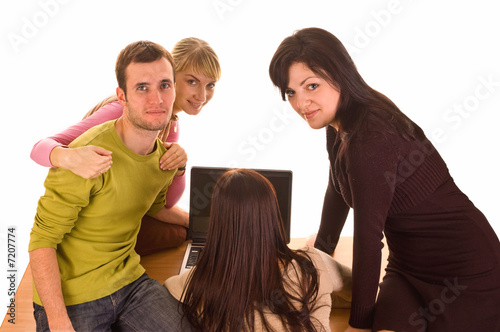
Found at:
(238, 275)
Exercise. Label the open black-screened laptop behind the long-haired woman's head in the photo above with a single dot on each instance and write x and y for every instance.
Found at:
(203, 180)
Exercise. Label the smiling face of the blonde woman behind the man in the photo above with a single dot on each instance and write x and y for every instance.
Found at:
(193, 91)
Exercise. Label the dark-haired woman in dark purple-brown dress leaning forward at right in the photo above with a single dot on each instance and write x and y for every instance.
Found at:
(443, 271)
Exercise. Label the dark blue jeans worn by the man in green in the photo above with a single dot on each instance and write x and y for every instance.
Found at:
(143, 305)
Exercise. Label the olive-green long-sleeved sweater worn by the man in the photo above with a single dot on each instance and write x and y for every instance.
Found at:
(93, 223)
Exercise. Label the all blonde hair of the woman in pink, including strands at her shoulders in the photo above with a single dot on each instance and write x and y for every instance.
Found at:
(188, 53)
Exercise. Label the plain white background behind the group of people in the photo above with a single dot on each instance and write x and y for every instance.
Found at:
(431, 58)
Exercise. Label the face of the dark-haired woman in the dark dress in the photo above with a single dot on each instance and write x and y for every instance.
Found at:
(311, 96)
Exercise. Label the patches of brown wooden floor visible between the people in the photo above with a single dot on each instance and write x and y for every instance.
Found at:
(160, 266)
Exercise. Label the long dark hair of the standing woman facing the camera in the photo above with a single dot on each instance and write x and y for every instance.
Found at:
(360, 106)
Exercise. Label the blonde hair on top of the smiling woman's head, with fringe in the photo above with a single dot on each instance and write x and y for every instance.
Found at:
(196, 54)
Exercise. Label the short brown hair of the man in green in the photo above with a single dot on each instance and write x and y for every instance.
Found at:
(143, 51)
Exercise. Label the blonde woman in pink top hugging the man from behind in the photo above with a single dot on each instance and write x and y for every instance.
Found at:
(197, 72)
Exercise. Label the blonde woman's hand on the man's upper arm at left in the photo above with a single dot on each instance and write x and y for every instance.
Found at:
(87, 161)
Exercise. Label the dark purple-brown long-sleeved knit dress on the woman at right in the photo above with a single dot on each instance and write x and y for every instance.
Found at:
(443, 272)
